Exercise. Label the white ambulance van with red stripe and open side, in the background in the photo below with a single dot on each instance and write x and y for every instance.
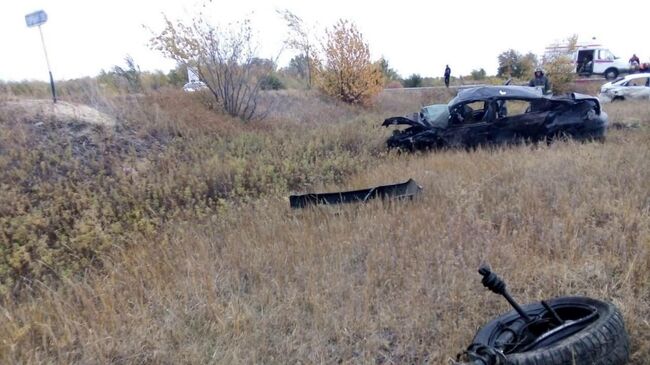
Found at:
(595, 59)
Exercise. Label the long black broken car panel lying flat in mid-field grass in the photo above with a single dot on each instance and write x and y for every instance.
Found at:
(408, 189)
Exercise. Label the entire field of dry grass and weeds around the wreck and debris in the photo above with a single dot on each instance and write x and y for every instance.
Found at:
(168, 239)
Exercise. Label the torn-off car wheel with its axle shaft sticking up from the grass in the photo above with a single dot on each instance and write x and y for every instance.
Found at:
(564, 330)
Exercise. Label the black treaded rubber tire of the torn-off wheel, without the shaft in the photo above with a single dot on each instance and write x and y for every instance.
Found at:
(602, 342)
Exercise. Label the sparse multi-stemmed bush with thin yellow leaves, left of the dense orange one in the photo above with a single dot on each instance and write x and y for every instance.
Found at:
(224, 58)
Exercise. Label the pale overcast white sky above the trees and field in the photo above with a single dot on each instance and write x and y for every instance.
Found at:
(86, 36)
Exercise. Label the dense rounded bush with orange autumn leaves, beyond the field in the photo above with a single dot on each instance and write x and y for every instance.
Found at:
(346, 72)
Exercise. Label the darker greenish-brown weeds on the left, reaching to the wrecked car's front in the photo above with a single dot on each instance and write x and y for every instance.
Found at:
(71, 191)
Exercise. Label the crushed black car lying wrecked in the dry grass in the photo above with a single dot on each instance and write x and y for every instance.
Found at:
(499, 114)
